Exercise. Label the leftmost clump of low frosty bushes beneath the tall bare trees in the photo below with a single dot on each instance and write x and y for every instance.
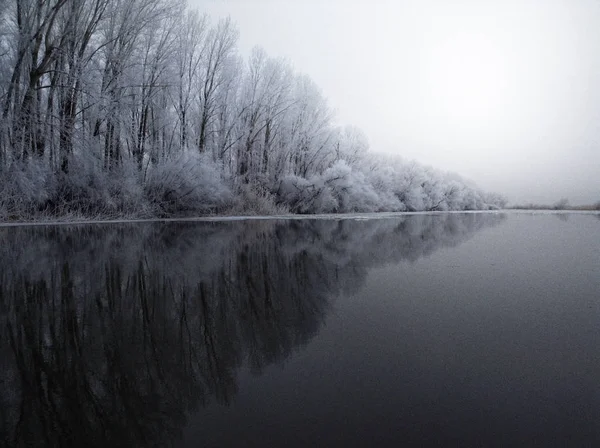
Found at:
(181, 184)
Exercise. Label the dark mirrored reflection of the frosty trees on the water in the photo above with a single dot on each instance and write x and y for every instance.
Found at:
(110, 335)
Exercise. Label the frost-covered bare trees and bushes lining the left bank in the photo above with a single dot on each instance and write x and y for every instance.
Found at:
(145, 107)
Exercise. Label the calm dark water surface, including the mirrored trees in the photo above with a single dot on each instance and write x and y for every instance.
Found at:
(449, 330)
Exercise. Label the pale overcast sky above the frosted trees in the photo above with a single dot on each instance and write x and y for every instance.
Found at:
(505, 93)
